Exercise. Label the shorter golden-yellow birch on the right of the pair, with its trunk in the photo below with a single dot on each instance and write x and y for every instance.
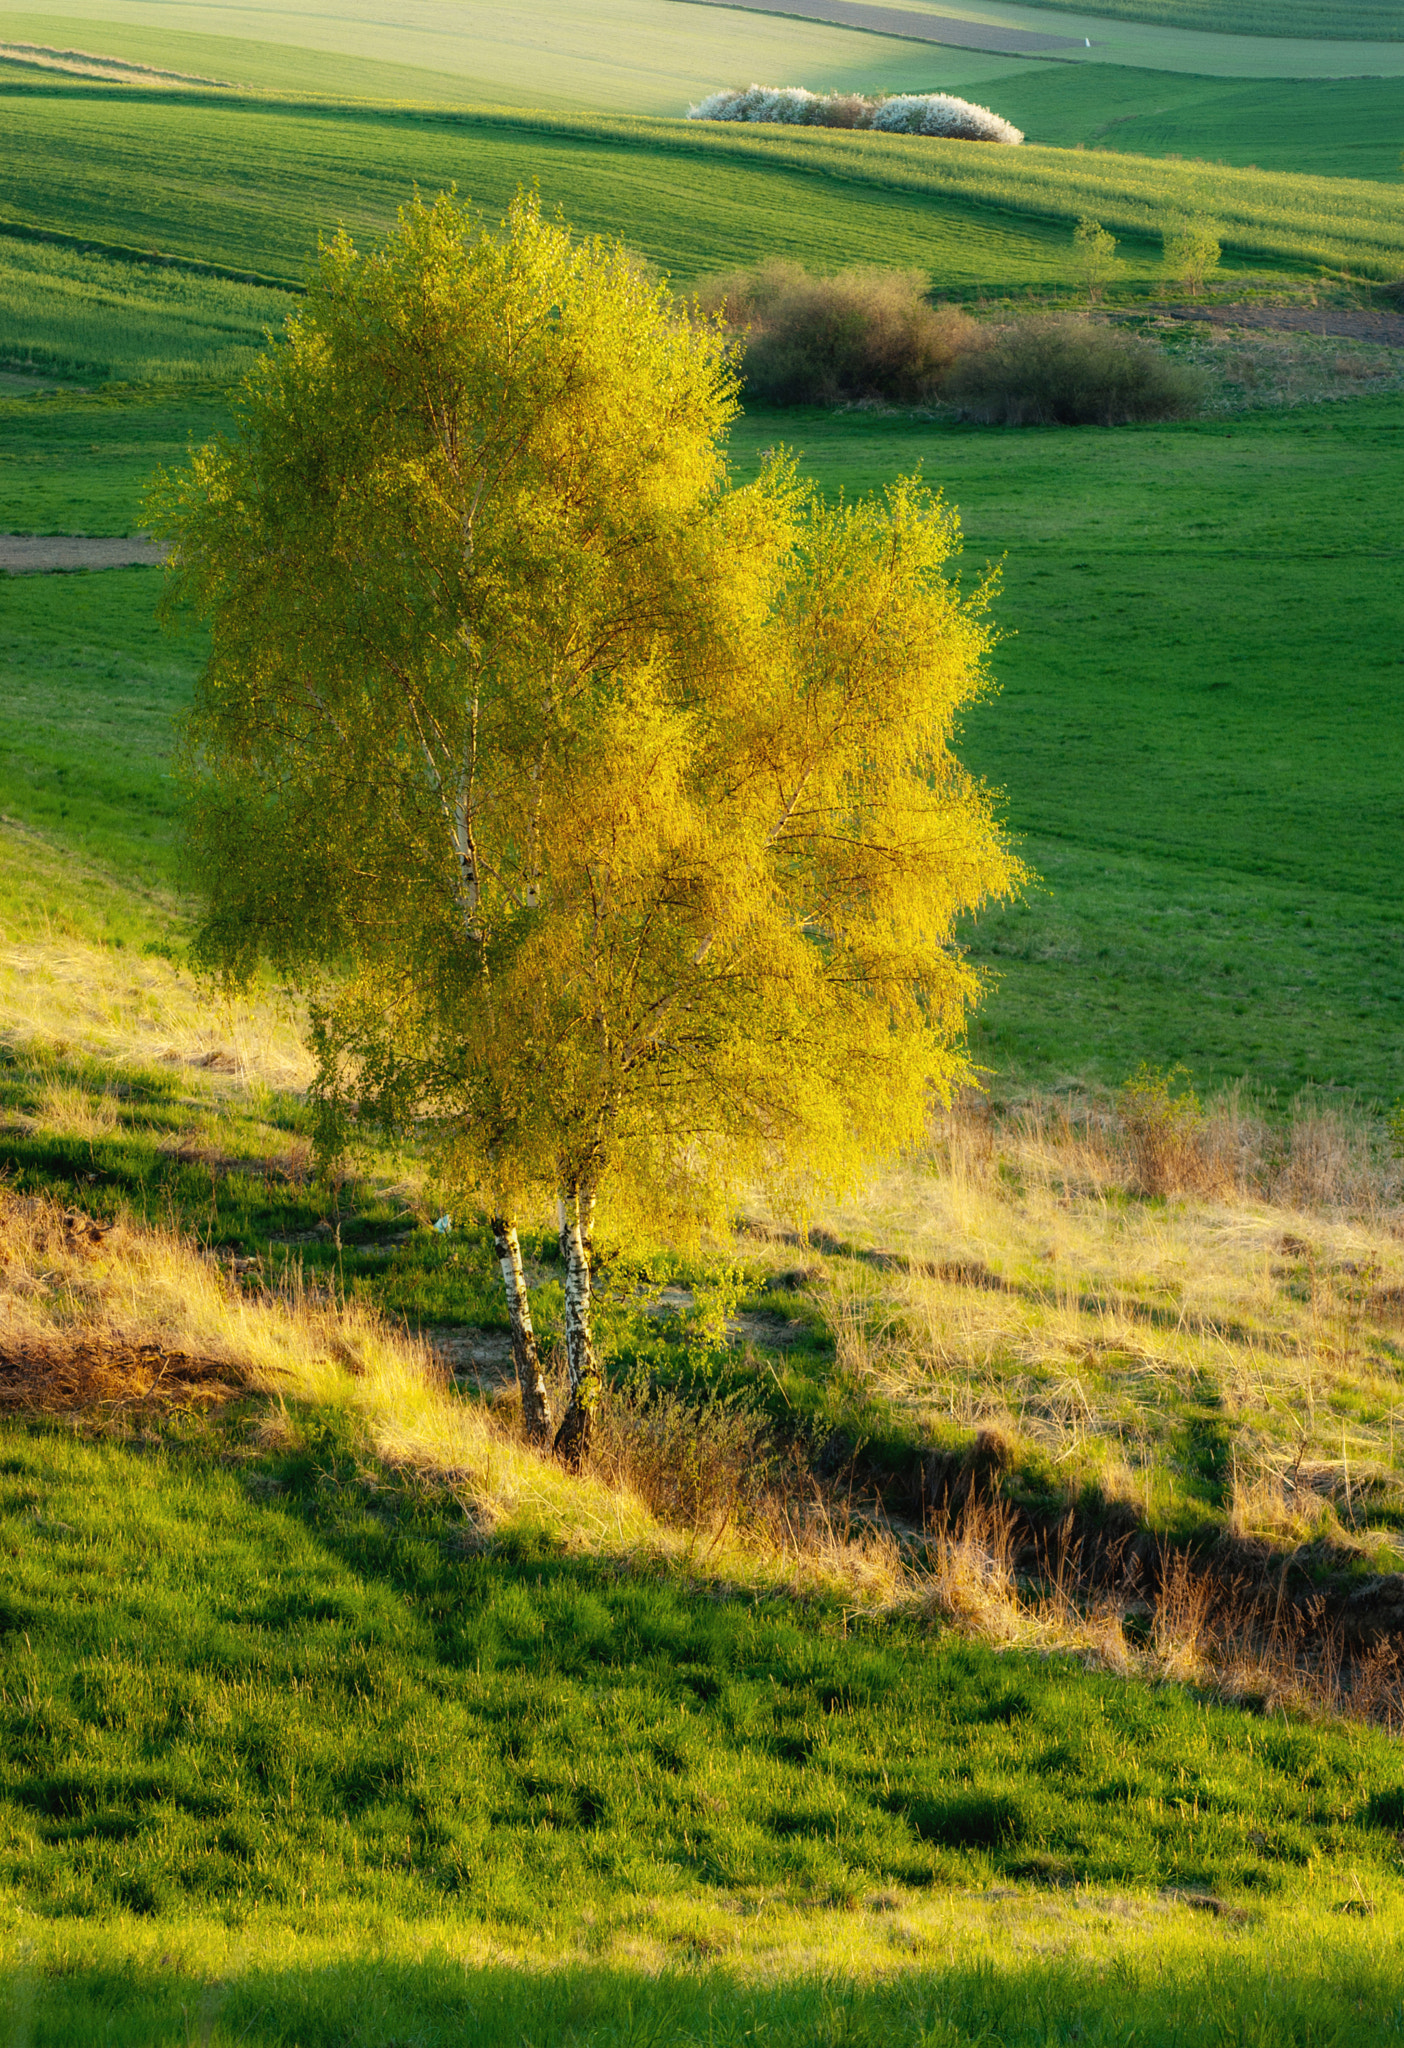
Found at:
(756, 968)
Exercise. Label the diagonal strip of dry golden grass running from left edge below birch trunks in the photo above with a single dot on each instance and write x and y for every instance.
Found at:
(136, 1289)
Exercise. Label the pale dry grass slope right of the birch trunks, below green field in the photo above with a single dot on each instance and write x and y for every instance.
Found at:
(1008, 1281)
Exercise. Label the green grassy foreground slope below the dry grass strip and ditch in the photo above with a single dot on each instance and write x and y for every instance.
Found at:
(273, 1732)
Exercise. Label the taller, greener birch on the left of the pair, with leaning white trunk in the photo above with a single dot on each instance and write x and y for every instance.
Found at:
(464, 509)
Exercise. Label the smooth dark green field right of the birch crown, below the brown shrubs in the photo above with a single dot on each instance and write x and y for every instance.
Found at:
(1178, 603)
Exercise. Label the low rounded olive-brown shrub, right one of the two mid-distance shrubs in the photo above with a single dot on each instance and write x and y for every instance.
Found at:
(1069, 372)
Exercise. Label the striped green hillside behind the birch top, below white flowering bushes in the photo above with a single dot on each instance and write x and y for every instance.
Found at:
(130, 173)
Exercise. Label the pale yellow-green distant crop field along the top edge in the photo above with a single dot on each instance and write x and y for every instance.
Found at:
(656, 56)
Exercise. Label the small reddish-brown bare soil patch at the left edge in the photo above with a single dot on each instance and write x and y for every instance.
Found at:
(58, 1379)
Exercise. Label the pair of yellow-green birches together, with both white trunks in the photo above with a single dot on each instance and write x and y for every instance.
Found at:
(607, 812)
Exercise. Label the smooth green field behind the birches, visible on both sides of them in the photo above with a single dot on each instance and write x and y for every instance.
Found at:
(1176, 603)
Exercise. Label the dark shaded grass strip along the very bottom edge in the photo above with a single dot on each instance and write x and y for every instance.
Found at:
(1211, 1994)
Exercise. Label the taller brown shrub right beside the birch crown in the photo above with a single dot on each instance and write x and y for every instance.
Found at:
(820, 341)
